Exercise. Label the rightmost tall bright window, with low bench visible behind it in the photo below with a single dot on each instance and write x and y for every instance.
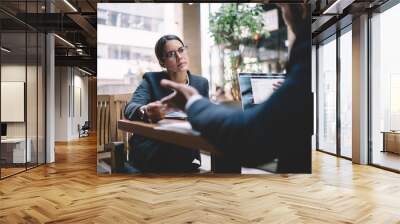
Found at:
(385, 85)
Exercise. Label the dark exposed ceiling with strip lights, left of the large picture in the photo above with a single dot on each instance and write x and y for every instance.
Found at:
(76, 25)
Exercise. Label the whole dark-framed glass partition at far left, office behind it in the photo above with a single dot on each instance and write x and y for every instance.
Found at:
(22, 89)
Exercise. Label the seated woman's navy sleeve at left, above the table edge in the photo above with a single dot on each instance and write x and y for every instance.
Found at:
(140, 97)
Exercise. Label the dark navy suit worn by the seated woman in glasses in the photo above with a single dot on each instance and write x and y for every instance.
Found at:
(154, 156)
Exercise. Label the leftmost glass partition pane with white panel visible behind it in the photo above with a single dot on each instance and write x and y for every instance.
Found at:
(13, 92)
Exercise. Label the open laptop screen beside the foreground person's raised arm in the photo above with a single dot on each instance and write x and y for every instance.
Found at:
(255, 88)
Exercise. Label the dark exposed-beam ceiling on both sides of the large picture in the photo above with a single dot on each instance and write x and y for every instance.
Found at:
(76, 20)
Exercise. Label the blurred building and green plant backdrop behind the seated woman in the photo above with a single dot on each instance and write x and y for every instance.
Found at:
(127, 34)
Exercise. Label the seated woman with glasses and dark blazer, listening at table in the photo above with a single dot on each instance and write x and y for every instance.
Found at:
(150, 155)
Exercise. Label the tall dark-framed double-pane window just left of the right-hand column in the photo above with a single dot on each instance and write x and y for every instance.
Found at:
(333, 137)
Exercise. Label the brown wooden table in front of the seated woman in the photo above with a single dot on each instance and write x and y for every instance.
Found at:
(187, 139)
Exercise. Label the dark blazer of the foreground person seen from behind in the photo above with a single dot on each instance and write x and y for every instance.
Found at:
(281, 127)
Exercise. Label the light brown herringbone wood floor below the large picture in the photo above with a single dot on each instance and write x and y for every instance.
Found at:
(70, 191)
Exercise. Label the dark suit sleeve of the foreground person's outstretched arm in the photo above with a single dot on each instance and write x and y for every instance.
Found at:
(260, 134)
